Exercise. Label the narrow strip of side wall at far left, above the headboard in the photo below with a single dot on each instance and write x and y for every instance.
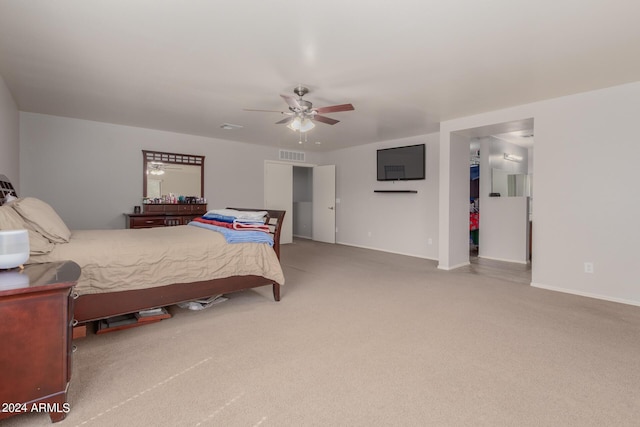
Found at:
(9, 136)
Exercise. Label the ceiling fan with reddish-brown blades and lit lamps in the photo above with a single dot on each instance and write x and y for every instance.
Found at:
(302, 114)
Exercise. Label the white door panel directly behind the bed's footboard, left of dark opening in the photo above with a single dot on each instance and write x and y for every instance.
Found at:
(278, 194)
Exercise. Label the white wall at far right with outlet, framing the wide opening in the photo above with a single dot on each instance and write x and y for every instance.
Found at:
(586, 152)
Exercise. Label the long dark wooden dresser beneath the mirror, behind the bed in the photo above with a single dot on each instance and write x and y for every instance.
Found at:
(165, 215)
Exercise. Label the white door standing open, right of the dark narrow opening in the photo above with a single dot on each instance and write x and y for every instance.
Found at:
(324, 203)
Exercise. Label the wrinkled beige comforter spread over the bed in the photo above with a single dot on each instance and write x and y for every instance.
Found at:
(119, 260)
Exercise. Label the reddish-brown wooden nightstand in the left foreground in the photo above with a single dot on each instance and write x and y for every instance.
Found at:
(36, 312)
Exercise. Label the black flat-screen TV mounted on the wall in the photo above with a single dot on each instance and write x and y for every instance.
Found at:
(401, 163)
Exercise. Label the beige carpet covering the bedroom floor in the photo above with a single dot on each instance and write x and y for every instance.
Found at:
(365, 338)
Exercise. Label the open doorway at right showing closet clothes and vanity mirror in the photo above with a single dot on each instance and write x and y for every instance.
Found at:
(500, 191)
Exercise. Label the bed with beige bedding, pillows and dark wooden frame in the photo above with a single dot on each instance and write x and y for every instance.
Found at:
(128, 270)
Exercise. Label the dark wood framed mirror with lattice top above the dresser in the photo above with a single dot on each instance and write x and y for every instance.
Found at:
(165, 173)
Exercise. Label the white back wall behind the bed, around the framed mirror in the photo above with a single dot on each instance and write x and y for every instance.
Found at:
(91, 172)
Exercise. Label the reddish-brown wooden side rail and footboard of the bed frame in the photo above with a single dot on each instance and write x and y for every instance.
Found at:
(99, 306)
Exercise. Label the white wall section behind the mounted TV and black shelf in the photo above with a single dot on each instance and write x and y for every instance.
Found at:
(399, 222)
